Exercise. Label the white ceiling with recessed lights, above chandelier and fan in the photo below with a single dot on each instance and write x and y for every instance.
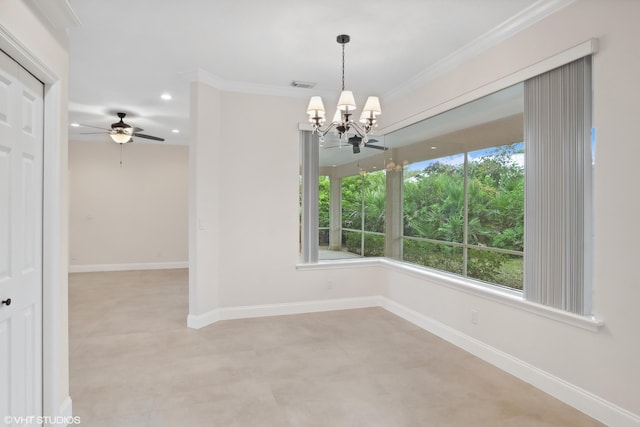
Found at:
(126, 53)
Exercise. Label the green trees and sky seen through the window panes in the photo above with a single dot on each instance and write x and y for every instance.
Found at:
(434, 208)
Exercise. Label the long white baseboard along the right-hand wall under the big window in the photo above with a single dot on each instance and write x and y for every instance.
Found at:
(592, 405)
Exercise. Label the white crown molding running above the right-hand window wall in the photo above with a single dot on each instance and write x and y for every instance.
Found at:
(529, 16)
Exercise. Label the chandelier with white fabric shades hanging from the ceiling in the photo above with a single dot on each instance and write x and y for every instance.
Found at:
(342, 120)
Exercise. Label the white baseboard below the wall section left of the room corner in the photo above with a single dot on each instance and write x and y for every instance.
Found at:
(245, 312)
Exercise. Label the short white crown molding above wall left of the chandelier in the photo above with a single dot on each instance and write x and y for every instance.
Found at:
(219, 83)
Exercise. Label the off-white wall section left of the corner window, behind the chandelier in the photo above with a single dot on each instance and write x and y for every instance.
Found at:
(244, 218)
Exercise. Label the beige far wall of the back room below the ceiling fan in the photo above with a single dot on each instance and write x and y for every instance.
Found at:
(129, 216)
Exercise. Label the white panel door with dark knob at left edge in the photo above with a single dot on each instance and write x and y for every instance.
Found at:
(21, 150)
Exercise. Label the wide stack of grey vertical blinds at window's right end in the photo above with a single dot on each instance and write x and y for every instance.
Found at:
(557, 123)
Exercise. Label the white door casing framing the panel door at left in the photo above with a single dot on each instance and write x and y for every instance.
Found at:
(55, 340)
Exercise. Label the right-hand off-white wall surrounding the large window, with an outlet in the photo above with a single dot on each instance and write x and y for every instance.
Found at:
(602, 363)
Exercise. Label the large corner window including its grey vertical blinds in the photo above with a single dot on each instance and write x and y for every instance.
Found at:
(496, 190)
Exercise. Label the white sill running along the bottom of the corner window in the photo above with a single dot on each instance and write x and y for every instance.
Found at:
(500, 295)
